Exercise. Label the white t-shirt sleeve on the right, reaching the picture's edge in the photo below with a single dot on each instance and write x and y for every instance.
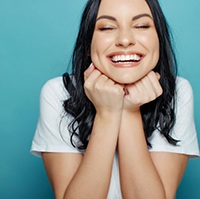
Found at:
(184, 128)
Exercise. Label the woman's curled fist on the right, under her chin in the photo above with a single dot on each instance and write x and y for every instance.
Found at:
(143, 91)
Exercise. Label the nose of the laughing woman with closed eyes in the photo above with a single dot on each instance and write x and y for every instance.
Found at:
(125, 38)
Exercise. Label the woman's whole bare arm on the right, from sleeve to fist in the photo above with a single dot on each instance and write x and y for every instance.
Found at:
(145, 175)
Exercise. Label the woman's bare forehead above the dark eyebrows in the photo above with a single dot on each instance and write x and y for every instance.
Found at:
(123, 7)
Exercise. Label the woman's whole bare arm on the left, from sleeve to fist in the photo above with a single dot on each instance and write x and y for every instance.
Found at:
(85, 176)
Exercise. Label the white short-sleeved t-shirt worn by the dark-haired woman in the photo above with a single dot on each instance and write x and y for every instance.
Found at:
(52, 133)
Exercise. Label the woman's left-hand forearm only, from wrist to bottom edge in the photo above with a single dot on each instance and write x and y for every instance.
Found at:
(92, 179)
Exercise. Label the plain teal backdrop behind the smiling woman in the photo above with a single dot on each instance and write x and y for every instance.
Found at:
(36, 39)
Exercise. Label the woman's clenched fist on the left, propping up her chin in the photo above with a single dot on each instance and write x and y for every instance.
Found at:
(104, 93)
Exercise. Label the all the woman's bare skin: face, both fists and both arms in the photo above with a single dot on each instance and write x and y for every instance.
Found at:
(117, 92)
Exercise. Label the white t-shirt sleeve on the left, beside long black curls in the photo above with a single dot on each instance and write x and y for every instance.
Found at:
(52, 134)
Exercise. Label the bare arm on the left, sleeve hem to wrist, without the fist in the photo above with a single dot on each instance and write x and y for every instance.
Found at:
(83, 176)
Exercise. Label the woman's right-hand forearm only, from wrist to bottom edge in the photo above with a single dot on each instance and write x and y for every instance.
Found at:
(139, 178)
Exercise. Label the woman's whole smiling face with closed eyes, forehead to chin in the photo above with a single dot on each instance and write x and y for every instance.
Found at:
(125, 45)
